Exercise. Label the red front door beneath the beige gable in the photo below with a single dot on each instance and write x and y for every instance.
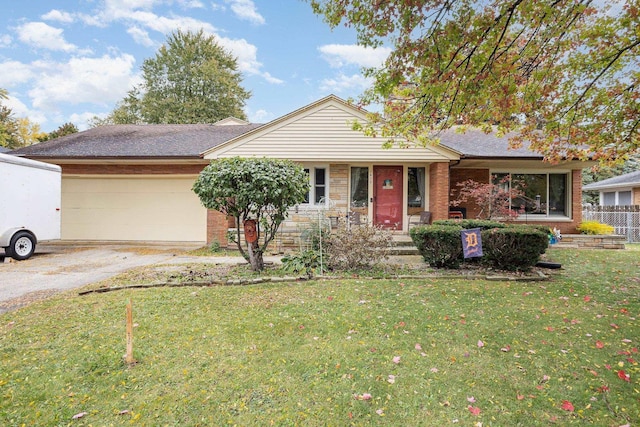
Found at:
(387, 197)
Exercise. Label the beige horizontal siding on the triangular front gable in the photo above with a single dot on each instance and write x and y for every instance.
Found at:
(324, 134)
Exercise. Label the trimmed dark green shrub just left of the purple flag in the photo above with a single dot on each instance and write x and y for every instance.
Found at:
(439, 244)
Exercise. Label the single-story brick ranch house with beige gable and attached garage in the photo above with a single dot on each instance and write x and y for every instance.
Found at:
(133, 182)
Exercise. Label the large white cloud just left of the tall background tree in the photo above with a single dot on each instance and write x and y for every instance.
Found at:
(99, 81)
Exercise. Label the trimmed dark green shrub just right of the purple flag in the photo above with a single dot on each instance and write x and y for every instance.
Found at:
(513, 248)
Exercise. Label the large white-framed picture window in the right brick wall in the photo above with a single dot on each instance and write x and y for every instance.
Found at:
(543, 194)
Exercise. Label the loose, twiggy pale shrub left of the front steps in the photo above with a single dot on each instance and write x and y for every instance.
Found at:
(357, 247)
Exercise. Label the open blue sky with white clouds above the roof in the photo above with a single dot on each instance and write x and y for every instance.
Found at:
(67, 61)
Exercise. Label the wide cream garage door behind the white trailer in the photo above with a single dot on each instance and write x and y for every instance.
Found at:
(149, 208)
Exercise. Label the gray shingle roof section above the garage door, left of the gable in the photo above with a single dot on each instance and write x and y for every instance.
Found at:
(137, 141)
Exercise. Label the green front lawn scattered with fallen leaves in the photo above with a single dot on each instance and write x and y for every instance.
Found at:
(345, 351)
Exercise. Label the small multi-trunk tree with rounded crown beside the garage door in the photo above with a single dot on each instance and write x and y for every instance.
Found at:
(258, 189)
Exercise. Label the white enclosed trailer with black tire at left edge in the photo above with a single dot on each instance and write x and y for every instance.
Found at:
(30, 194)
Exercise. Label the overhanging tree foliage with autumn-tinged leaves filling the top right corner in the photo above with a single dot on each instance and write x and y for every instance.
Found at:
(562, 75)
